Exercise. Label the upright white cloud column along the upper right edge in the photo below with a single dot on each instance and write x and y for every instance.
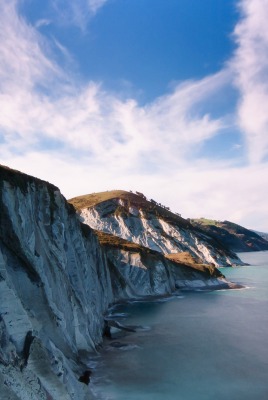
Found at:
(251, 67)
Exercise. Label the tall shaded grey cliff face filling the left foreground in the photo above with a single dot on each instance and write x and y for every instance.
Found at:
(54, 289)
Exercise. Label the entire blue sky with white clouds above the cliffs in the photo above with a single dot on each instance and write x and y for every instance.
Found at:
(165, 97)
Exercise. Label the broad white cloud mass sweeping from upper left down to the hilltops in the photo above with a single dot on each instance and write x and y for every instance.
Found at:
(84, 139)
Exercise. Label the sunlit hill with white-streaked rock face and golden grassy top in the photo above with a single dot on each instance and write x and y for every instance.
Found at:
(134, 218)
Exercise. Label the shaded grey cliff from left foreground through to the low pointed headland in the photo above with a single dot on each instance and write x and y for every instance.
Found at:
(57, 280)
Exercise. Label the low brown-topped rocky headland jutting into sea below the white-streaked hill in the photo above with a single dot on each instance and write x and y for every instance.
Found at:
(140, 271)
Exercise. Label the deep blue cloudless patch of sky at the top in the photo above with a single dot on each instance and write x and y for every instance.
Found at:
(147, 44)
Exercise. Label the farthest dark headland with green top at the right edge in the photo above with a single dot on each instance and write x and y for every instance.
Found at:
(233, 236)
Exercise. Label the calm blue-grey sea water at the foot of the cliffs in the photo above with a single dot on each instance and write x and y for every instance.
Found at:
(199, 346)
